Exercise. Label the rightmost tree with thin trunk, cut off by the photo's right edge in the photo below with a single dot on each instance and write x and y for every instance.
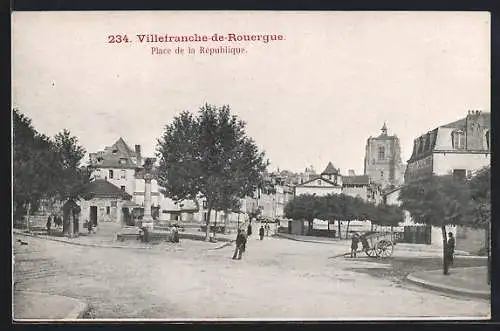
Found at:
(480, 207)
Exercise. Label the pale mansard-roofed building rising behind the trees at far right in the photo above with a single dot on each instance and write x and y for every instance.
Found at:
(457, 148)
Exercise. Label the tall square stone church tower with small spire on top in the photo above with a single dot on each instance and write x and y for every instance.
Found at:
(383, 160)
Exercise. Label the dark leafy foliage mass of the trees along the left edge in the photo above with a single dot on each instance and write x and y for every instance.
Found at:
(44, 167)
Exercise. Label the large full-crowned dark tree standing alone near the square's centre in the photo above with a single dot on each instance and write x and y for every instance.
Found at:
(208, 155)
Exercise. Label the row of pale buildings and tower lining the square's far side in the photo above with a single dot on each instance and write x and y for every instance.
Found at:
(117, 191)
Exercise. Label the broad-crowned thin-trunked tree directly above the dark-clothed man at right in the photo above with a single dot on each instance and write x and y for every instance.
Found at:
(438, 201)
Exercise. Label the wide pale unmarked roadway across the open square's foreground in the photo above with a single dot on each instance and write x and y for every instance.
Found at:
(277, 278)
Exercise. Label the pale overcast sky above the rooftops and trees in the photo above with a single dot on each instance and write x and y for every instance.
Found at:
(312, 98)
